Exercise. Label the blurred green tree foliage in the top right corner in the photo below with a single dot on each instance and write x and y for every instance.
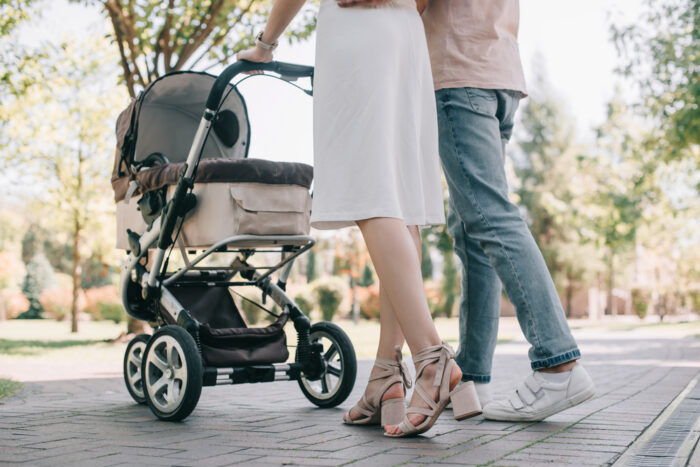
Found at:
(661, 57)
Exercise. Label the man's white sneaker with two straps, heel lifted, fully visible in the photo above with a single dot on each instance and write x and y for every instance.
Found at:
(537, 398)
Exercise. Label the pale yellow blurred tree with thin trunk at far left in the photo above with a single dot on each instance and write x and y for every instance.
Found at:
(59, 133)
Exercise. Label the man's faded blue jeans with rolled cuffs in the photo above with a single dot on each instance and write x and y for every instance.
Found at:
(492, 240)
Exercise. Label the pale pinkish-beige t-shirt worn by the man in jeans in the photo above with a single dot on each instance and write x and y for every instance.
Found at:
(474, 43)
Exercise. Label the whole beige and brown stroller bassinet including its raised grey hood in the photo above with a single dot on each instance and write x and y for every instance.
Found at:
(235, 195)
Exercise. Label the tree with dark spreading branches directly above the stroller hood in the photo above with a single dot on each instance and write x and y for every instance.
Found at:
(156, 37)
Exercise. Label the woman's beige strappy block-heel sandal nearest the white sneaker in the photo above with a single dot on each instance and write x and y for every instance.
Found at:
(465, 401)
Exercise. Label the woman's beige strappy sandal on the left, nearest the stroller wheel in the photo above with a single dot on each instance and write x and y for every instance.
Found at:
(376, 411)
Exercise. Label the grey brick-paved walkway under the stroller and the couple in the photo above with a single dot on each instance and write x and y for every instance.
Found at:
(94, 422)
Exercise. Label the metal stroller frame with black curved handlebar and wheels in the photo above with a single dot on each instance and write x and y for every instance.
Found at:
(145, 287)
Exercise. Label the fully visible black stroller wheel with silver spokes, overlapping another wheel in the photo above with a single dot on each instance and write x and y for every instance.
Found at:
(172, 373)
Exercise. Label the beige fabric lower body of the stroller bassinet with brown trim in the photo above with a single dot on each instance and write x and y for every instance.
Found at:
(234, 197)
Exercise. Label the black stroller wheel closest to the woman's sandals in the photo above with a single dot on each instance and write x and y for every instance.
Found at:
(340, 367)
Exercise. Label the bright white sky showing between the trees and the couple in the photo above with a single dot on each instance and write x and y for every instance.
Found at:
(572, 37)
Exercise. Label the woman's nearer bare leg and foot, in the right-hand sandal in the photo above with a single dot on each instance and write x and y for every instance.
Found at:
(393, 252)
